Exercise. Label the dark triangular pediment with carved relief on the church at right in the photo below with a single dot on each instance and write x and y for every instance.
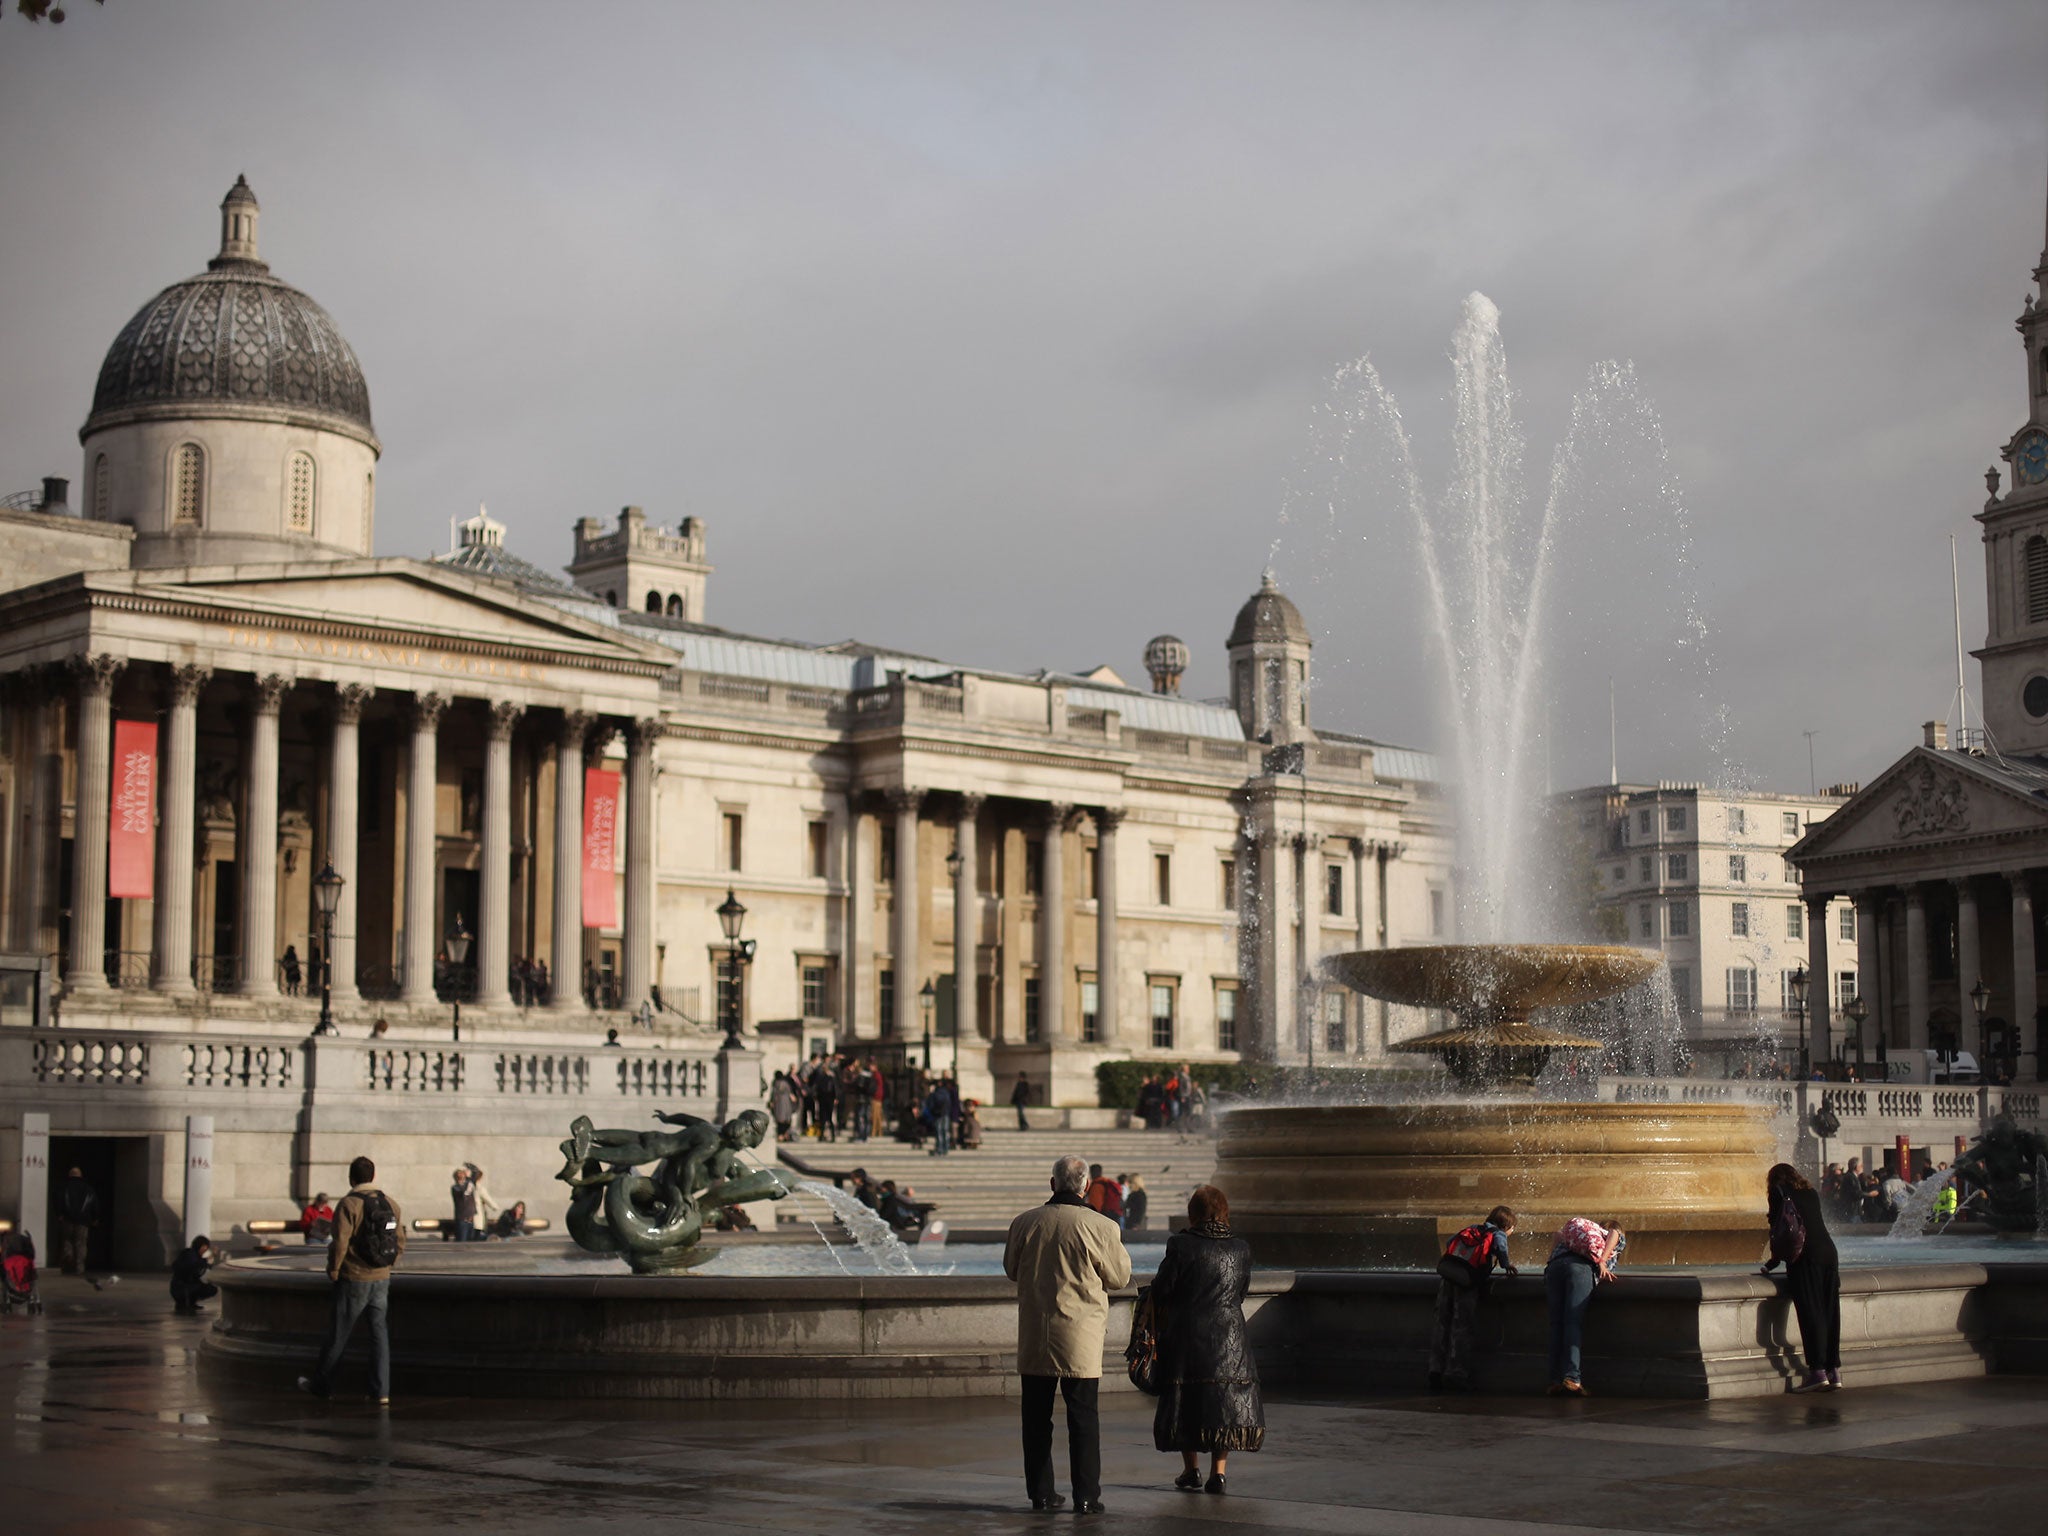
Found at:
(1926, 800)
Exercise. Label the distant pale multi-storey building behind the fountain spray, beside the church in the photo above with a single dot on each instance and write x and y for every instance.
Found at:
(1703, 878)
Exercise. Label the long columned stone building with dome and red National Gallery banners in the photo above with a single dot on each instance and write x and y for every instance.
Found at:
(538, 792)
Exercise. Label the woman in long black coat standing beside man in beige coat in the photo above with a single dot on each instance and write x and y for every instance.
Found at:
(1209, 1388)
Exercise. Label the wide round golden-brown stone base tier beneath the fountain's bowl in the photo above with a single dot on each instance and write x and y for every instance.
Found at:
(1388, 1185)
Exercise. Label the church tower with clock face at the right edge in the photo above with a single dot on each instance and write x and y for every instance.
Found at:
(2016, 558)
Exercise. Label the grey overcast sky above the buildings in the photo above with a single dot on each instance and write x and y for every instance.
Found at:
(996, 333)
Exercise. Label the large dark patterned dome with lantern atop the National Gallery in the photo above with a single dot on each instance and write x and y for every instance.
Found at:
(234, 341)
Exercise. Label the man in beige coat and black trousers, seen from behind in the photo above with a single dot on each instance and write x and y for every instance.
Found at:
(1066, 1261)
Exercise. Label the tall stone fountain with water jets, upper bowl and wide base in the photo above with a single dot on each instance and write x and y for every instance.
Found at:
(1359, 1185)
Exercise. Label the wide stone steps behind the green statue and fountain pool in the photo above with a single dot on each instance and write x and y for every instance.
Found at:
(984, 1191)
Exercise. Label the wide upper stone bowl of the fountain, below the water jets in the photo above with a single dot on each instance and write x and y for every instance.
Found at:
(1494, 982)
